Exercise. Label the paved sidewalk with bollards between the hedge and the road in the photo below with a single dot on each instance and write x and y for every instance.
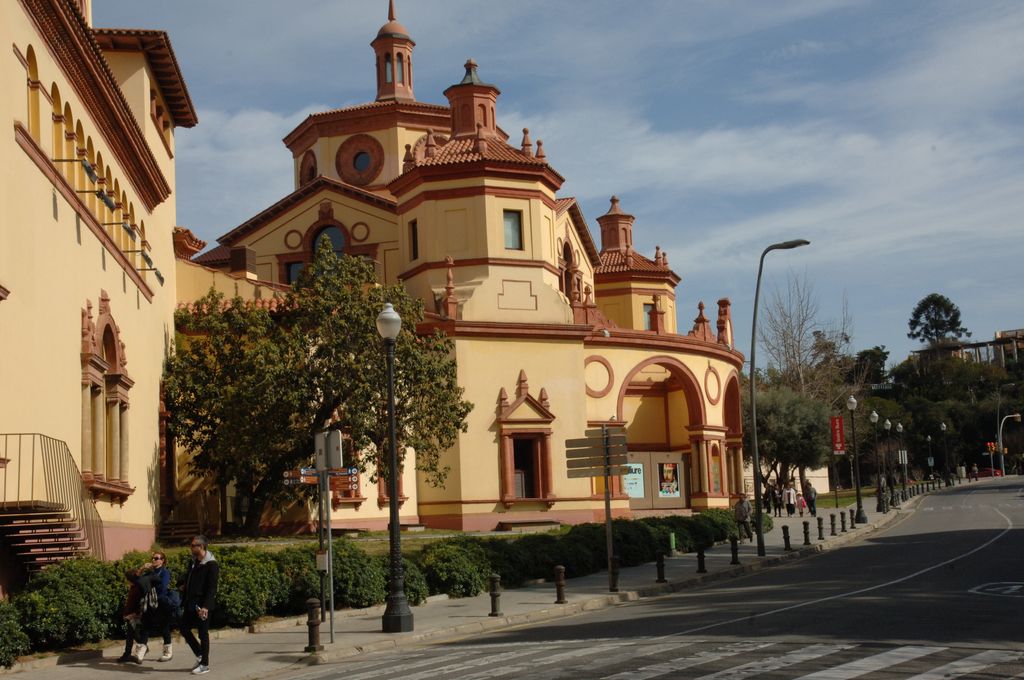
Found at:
(277, 648)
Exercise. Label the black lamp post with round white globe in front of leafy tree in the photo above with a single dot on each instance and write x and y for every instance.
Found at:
(398, 617)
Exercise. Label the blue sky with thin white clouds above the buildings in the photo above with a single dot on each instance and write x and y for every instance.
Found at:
(887, 134)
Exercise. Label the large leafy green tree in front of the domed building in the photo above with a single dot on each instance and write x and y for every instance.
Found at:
(248, 391)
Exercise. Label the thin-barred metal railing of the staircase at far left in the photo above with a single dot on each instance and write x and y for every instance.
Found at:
(40, 469)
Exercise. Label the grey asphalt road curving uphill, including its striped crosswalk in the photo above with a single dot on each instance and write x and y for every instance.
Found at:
(940, 594)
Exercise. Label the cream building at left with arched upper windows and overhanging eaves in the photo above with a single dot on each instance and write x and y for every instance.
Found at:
(88, 280)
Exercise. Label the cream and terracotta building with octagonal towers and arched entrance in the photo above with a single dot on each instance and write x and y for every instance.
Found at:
(554, 334)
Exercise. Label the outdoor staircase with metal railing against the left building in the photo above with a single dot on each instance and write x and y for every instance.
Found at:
(47, 515)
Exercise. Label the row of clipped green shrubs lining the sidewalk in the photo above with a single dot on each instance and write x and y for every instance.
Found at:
(79, 601)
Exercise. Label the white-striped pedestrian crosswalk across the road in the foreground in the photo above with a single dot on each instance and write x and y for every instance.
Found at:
(622, 659)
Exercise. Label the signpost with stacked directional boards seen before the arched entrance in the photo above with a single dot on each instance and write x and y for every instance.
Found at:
(601, 454)
